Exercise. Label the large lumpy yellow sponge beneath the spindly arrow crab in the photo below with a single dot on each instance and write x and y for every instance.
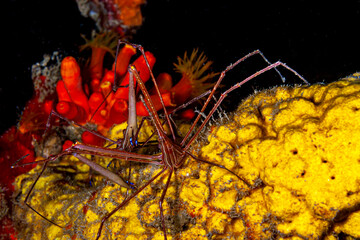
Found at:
(298, 147)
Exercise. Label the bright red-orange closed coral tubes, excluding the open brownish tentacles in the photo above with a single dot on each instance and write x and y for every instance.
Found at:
(101, 105)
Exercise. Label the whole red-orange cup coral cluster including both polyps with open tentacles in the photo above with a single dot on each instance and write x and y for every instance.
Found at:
(95, 101)
